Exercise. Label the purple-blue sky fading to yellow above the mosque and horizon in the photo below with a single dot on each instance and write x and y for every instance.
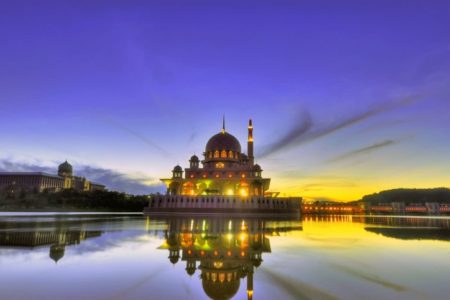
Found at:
(347, 97)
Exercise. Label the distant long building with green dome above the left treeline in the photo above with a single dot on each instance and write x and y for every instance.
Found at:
(39, 181)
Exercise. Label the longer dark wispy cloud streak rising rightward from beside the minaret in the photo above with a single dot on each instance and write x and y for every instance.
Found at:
(304, 131)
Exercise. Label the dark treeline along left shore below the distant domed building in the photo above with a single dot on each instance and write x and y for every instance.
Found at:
(74, 200)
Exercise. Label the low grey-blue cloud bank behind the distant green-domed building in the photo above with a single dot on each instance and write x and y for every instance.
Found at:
(112, 179)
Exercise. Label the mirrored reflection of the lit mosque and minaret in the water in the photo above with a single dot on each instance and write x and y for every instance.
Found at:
(225, 251)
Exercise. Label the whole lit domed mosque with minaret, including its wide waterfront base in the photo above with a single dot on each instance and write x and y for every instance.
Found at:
(228, 181)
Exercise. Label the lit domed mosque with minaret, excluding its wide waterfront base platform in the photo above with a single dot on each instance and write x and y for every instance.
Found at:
(225, 170)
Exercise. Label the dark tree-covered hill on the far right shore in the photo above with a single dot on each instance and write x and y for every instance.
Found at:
(439, 195)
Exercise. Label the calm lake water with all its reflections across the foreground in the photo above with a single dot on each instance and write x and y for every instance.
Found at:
(126, 256)
